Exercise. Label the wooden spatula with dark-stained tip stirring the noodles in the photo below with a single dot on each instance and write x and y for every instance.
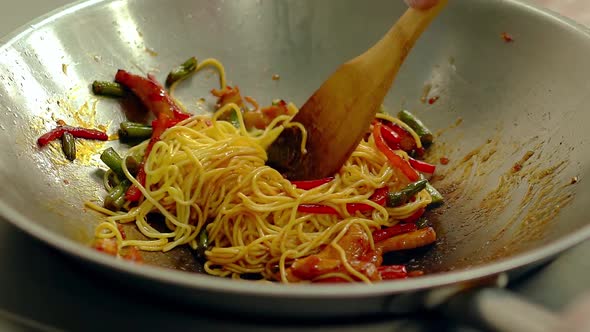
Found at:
(339, 113)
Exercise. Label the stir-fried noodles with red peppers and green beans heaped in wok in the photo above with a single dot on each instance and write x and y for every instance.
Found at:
(202, 181)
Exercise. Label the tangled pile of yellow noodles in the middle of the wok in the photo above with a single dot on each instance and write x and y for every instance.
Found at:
(205, 172)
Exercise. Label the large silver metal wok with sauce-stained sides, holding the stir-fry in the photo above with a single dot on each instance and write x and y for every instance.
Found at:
(497, 101)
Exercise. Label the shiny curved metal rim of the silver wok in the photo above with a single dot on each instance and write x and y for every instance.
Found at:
(273, 290)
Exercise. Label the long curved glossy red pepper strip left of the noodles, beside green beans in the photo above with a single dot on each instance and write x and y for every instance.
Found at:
(159, 102)
